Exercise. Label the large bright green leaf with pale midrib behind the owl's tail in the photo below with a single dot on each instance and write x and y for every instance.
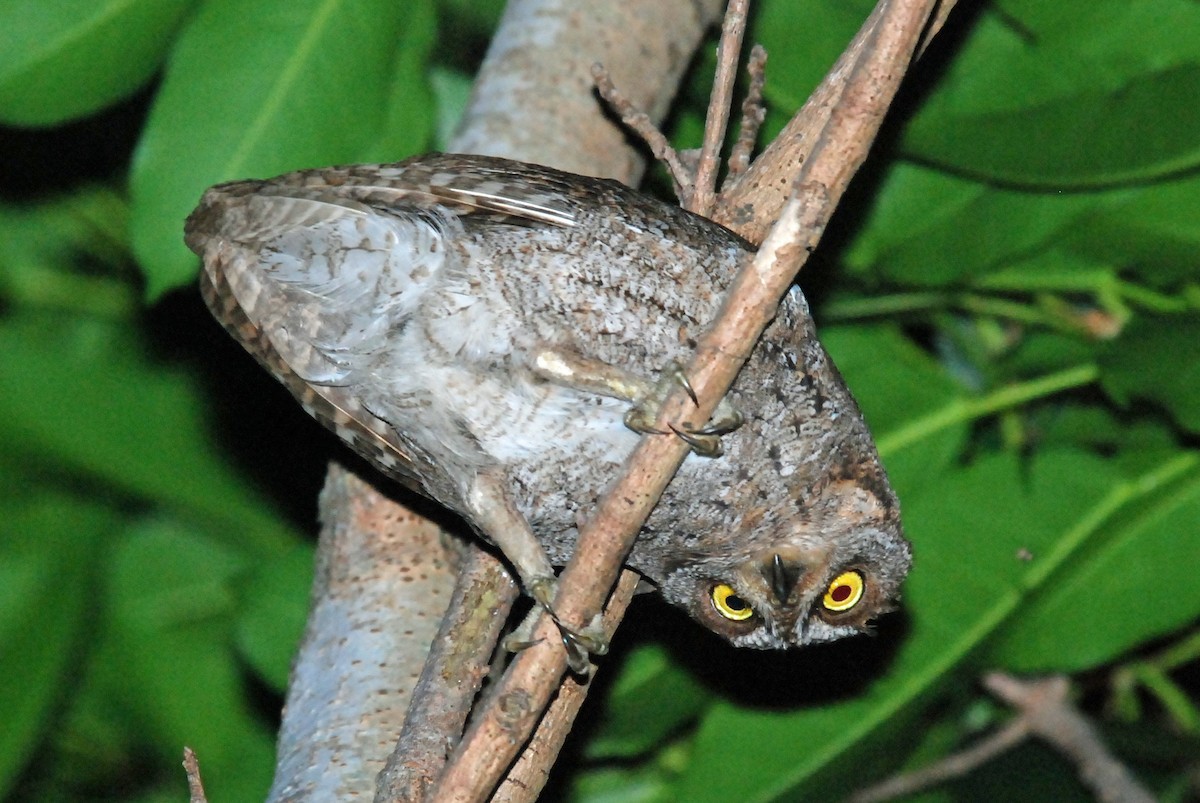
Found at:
(253, 91)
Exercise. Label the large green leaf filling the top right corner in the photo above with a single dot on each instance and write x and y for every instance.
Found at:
(1035, 106)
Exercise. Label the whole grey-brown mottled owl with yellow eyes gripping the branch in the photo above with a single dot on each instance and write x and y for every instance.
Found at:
(491, 334)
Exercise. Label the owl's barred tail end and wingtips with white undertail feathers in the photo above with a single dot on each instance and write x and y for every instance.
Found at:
(314, 283)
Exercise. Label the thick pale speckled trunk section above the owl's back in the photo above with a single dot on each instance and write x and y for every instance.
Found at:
(535, 99)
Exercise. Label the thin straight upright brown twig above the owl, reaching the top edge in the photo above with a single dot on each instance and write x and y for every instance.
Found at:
(704, 190)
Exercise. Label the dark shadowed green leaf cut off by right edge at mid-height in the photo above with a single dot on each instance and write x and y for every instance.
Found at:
(1157, 359)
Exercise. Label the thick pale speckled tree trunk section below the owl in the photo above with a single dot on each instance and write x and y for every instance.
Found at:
(349, 696)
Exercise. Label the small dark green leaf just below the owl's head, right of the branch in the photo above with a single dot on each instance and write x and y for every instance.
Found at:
(651, 700)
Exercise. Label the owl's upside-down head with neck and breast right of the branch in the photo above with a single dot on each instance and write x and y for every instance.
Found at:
(794, 537)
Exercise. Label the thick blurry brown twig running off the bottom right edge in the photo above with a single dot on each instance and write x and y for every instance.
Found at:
(1049, 715)
